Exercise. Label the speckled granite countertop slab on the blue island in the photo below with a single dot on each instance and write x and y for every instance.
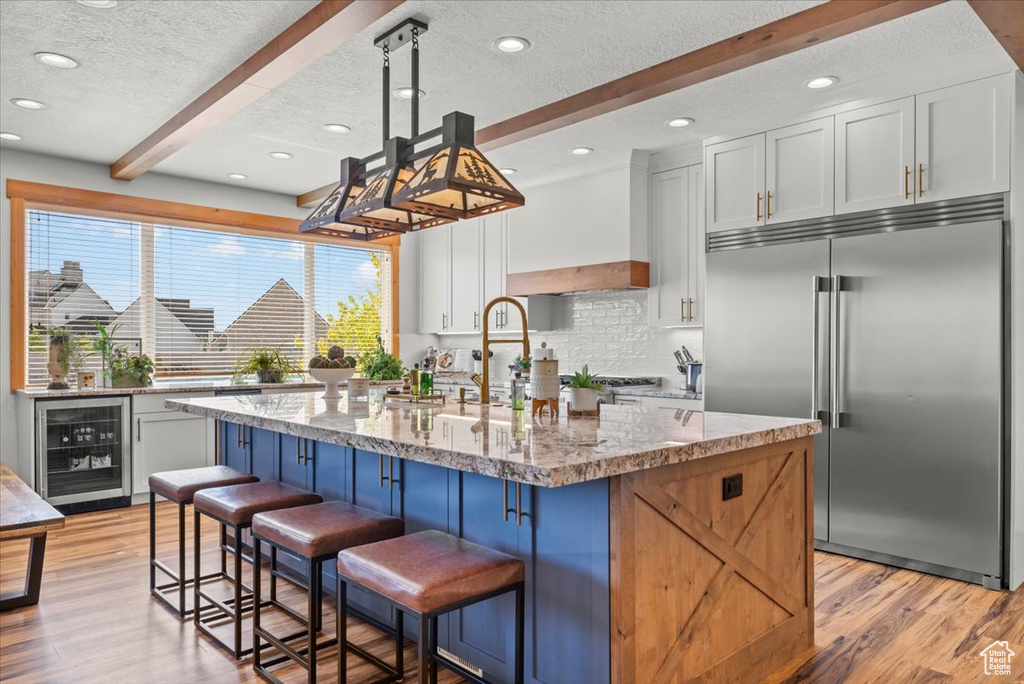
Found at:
(495, 441)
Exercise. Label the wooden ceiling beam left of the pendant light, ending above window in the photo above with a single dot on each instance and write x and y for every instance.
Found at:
(318, 32)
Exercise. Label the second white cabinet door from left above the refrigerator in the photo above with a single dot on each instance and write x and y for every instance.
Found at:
(800, 166)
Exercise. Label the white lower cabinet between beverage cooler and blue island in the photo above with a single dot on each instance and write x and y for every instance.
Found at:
(167, 441)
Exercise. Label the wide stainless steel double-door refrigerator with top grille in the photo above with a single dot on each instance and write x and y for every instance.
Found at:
(889, 327)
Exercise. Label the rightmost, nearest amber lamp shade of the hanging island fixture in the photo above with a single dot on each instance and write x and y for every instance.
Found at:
(457, 183)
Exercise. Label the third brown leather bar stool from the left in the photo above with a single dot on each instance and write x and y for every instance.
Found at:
(316, 534)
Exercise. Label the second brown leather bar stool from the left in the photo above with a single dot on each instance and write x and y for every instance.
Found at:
(235, 506)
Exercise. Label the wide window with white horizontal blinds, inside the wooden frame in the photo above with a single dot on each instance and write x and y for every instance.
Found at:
(197, 302)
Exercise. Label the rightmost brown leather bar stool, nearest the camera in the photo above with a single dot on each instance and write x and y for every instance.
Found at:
(429, 575)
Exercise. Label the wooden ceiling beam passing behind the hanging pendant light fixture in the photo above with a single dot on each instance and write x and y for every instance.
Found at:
(793, 33)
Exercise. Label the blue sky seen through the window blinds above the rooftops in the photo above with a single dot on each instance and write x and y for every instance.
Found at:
(225, 272)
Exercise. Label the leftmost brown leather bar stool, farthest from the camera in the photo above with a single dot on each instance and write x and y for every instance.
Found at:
(180, 487)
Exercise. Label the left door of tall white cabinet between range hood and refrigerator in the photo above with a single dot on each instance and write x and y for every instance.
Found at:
(669, 246)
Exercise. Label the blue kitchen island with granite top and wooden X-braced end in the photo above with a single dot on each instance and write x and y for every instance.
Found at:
(643, 564)
